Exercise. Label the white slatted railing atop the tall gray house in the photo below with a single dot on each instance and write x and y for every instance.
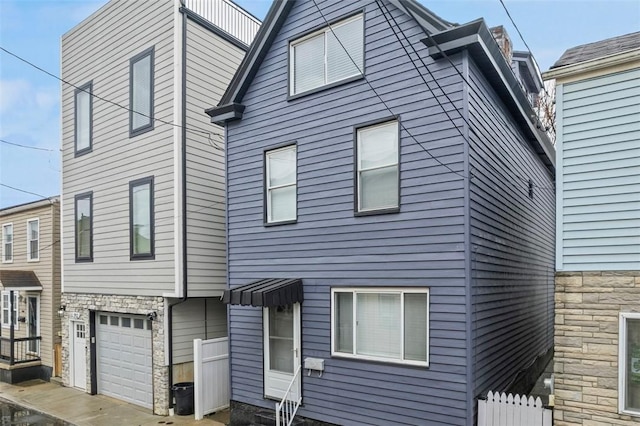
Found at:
(229, 17)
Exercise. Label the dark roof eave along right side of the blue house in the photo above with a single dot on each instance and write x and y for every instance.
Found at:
(477, 39)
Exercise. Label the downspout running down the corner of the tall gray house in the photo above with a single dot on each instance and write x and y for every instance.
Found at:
(184, 202)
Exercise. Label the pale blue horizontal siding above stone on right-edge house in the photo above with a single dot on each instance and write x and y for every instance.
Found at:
(599, 130)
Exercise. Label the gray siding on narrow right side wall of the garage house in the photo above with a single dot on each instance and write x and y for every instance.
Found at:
(211, 62)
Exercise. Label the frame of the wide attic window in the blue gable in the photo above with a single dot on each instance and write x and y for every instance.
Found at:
(324, 28)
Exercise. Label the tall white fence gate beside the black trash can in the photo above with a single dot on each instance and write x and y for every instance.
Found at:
(211, 376)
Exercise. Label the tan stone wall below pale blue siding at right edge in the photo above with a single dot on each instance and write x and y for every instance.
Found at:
(588, 305)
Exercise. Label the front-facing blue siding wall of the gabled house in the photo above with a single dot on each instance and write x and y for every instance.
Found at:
(423, 245)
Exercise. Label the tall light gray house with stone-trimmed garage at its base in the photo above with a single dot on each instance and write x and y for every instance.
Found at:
(143, 199)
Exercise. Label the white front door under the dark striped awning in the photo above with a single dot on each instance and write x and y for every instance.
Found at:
(281, 350)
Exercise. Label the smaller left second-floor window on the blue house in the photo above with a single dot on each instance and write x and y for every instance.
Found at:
(281, 184)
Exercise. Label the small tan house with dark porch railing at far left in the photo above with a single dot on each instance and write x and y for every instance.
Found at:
(30, 291)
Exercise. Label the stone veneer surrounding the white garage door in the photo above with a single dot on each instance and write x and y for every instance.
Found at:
(77, 309)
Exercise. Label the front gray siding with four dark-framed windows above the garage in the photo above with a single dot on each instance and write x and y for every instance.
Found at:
(99, 50)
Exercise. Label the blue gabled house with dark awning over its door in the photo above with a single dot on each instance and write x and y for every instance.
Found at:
(390, 217)
